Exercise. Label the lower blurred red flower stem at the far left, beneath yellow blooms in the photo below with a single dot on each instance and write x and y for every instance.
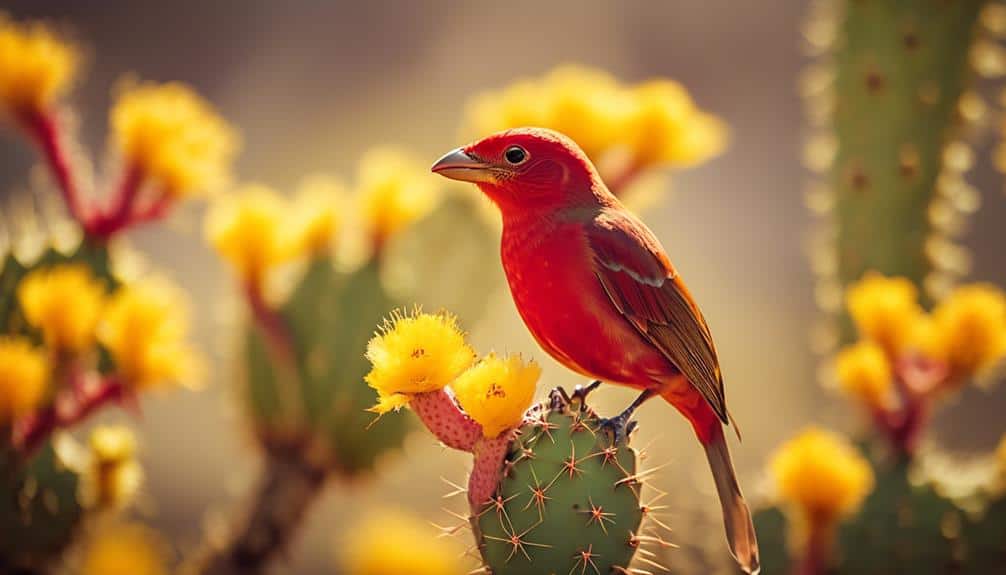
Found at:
(71, 407)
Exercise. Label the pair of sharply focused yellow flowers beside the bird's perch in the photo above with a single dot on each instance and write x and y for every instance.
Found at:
(419, 353)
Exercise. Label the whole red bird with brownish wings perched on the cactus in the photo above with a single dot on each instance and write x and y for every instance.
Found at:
(599, 294)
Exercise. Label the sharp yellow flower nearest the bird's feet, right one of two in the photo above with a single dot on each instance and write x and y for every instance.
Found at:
(497, 392)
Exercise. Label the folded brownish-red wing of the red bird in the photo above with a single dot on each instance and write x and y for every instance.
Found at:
(644, 286)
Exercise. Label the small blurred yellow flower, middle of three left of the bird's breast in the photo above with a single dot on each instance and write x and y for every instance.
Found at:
(315, 219)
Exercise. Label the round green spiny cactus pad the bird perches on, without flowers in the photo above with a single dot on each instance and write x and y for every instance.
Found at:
(569, 501)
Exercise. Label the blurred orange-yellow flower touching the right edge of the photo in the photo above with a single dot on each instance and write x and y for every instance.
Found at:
(970, 329)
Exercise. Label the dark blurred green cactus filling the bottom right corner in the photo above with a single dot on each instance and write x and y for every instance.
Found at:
(905, 527)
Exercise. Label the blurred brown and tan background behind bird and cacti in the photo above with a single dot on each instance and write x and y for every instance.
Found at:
(313, 85)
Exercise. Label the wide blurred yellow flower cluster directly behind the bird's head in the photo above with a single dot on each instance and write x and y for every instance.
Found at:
(655, 122)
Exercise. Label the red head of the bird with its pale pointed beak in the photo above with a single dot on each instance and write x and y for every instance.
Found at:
(526, 169)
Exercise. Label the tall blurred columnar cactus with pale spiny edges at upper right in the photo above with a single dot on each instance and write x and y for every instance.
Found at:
(889, 103)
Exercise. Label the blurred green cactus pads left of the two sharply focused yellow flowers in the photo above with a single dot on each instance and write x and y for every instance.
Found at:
(320, 406)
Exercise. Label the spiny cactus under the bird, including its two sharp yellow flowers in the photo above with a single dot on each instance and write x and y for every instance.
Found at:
(555, 489)
